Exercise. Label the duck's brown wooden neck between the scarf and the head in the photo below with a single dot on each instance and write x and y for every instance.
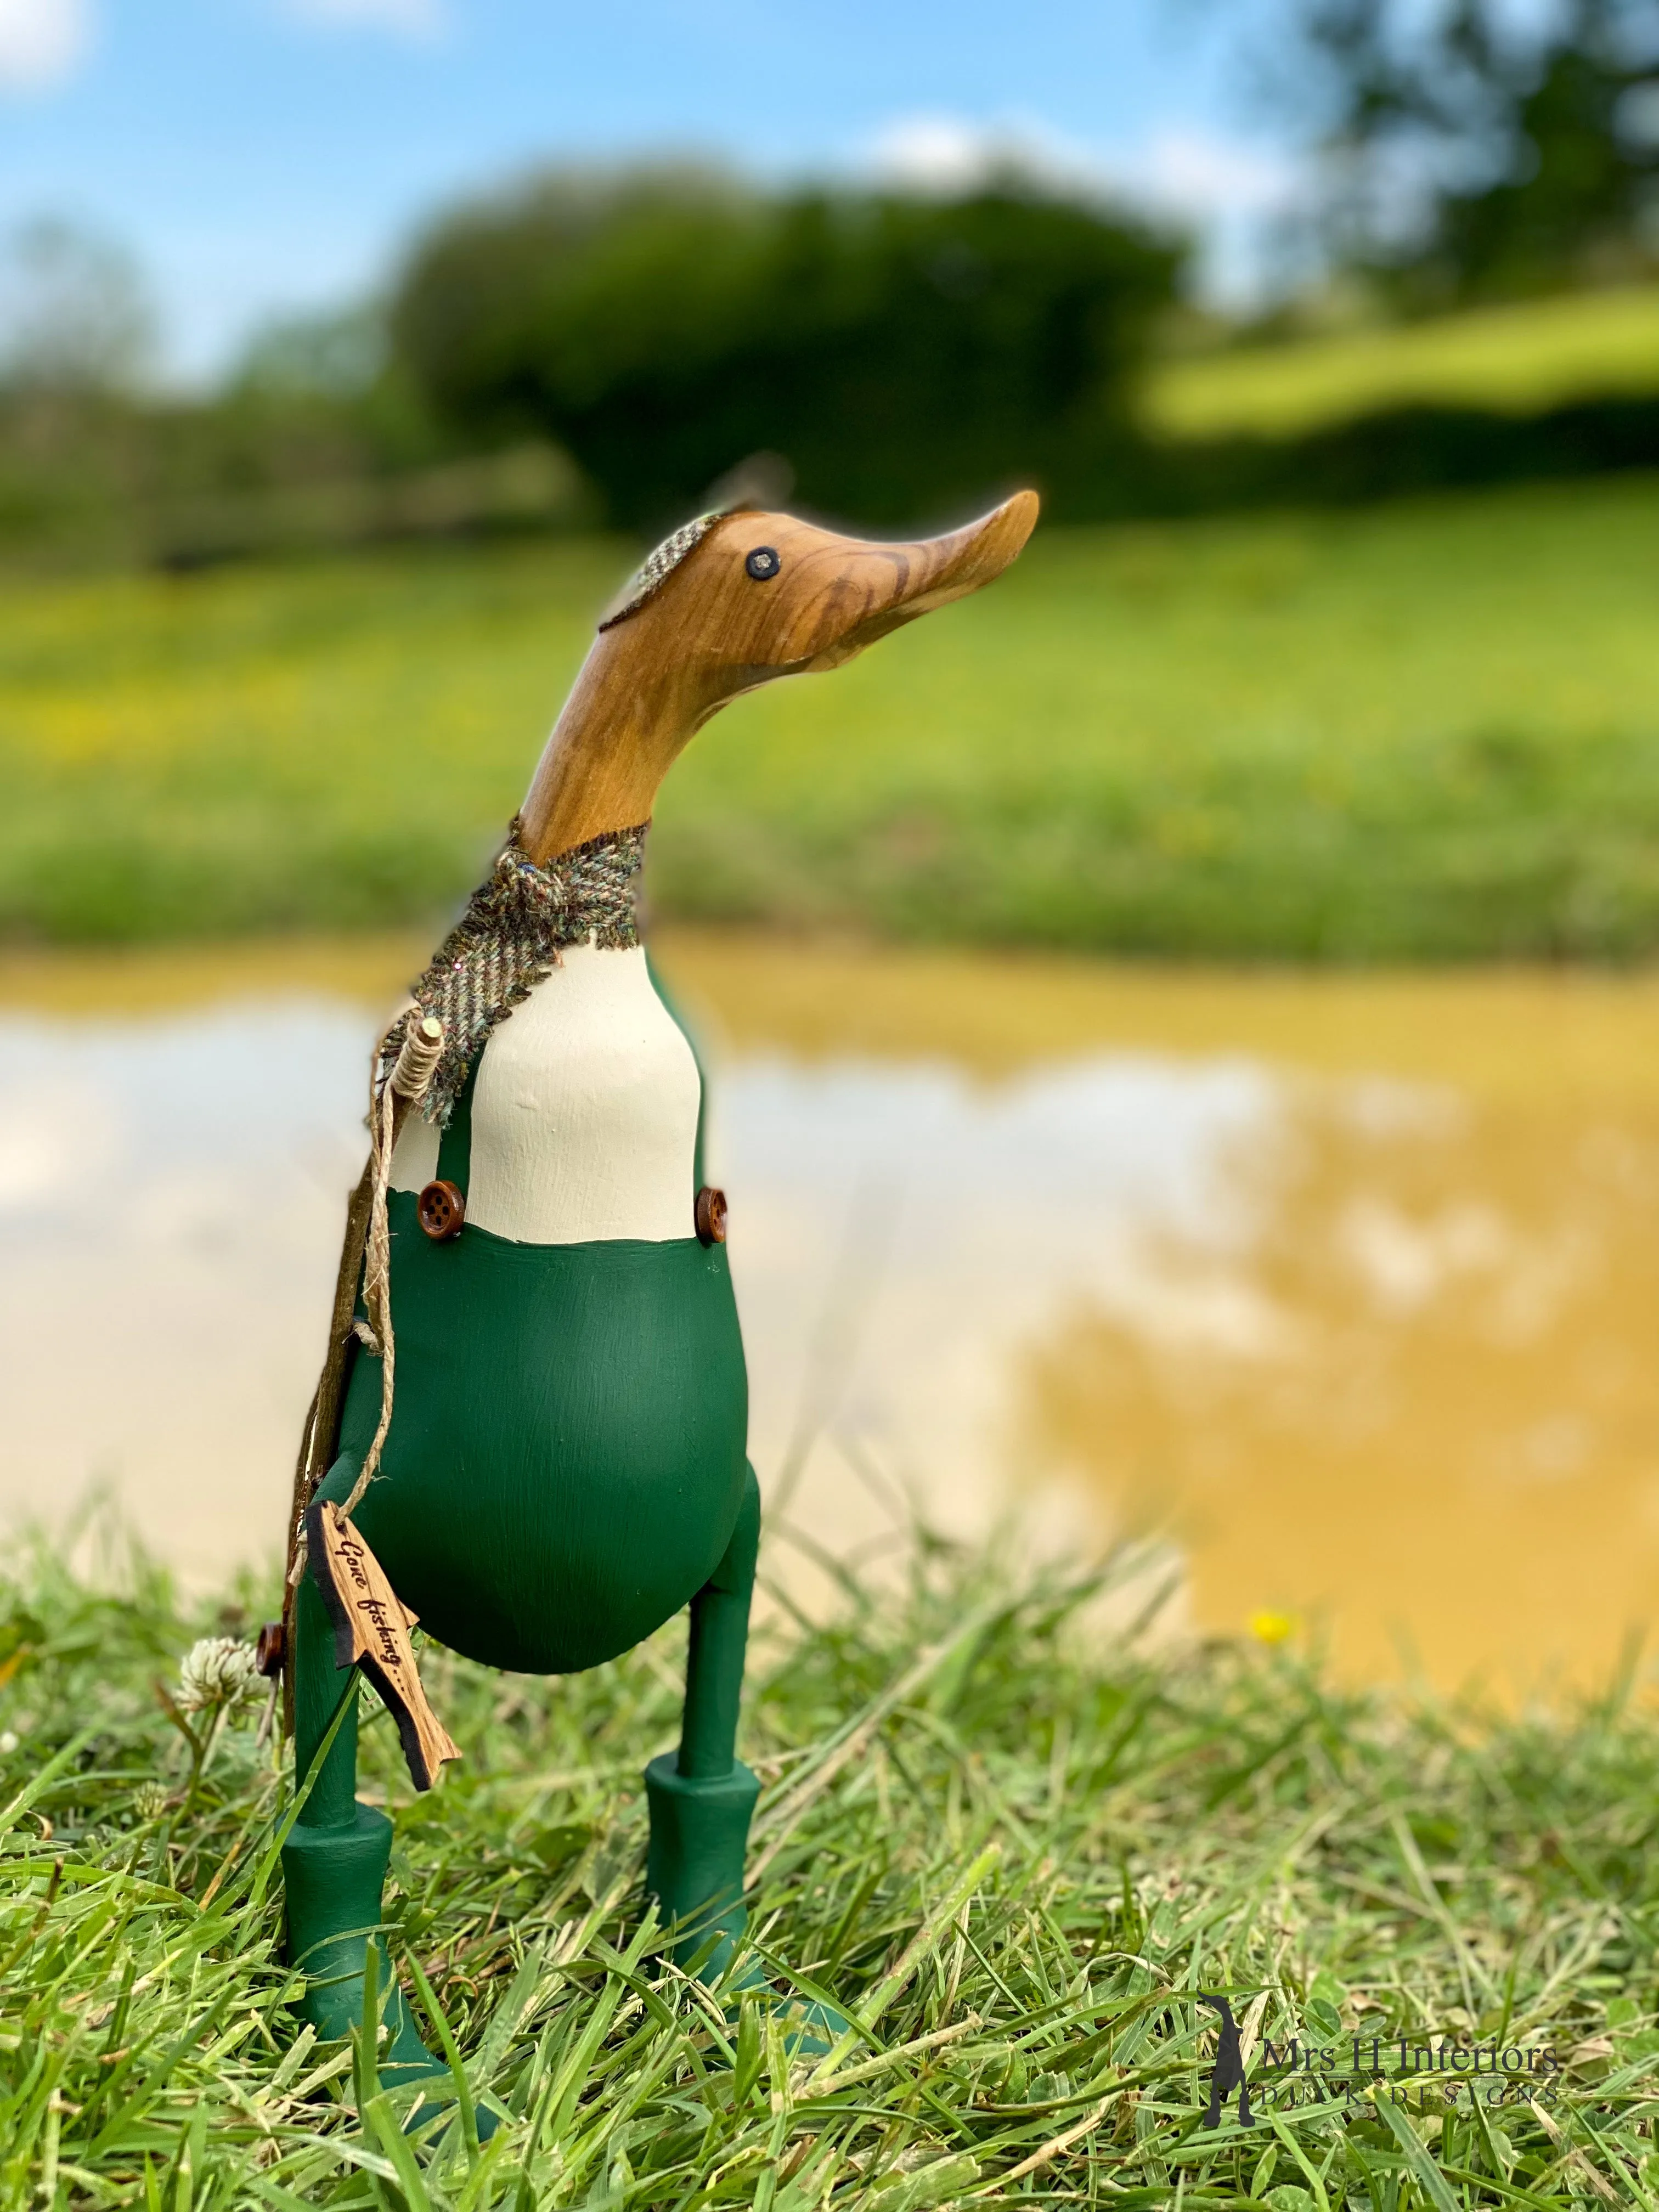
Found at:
(612, 747)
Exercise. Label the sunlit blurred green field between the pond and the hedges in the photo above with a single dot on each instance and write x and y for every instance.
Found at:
(1428, 731)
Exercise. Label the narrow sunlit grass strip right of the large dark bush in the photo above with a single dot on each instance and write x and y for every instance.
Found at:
(1516, 359)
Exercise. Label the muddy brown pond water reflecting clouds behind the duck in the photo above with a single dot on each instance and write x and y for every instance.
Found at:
(1346, 1286)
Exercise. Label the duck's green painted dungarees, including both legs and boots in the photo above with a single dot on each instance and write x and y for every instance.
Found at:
(565, 1472)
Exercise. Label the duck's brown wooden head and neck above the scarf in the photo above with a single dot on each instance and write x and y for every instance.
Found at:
(720, 609)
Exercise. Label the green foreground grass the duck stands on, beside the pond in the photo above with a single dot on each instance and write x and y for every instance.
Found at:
(1012, 1848)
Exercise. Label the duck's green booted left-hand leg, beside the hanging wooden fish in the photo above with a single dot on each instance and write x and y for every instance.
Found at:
(337, 1853)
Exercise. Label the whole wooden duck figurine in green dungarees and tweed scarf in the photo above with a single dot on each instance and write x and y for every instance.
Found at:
(565, 1461)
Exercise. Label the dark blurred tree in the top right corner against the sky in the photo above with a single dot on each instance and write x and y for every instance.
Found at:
(1485, 149)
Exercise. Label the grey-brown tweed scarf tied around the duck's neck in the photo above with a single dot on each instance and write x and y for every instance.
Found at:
(512, 935)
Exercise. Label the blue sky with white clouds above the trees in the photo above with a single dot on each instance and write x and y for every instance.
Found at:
(269, 158)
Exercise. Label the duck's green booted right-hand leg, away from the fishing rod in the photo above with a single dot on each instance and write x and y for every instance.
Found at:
(702, 1797)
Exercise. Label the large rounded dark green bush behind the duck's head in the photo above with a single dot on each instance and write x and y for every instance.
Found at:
(901, 355)
